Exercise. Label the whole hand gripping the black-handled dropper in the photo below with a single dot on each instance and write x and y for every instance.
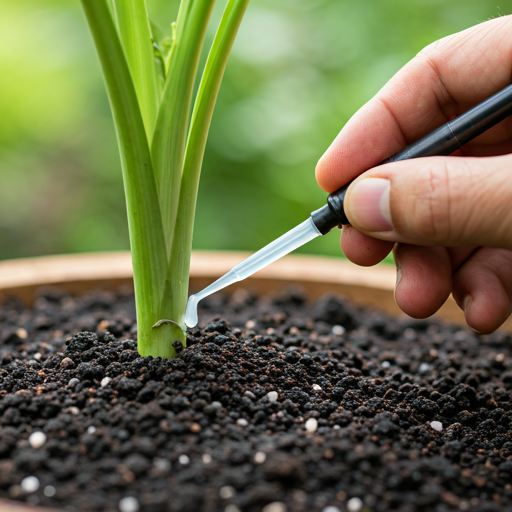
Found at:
(451, 216)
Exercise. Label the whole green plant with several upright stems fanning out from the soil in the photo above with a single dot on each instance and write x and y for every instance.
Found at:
(161, 147)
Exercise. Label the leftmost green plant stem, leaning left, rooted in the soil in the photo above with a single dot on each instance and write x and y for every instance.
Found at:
(146, 231)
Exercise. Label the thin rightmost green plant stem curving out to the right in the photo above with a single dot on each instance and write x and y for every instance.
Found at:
(196, 143)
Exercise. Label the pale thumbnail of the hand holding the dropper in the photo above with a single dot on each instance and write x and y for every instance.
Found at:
(369, 204)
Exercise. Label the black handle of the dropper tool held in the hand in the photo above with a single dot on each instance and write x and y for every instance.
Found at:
(441, 142)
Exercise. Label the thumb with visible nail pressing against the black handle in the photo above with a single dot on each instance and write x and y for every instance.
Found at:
(446, 201)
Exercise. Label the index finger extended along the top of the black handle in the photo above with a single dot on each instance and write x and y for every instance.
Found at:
(444, 80)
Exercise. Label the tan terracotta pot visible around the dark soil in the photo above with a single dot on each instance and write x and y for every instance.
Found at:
(317, 275)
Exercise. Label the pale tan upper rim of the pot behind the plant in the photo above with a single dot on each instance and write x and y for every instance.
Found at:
(117, 265)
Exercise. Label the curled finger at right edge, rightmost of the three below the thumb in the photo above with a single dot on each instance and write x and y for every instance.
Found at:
(483, 289)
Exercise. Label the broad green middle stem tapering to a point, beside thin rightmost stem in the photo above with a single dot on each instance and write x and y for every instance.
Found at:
(170, 135)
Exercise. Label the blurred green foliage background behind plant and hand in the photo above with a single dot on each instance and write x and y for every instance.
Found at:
(298, 71)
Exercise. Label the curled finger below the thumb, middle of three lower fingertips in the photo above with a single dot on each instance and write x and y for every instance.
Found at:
(424, 279)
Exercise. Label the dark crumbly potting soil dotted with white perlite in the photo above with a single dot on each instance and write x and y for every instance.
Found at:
(282, 406)
